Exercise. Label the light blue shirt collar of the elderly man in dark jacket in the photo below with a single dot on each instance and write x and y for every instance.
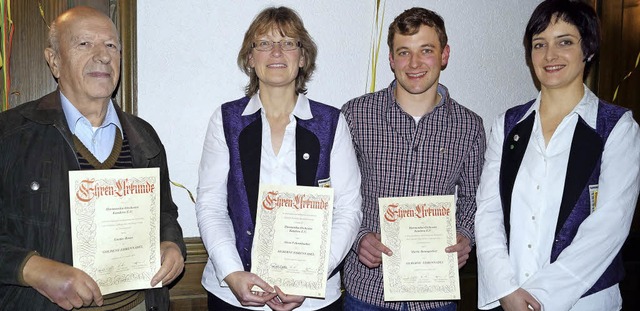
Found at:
(98, 140)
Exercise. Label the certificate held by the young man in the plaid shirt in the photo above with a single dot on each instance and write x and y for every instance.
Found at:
(417, 230)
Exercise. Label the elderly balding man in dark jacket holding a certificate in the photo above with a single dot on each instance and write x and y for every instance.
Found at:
(77, 127)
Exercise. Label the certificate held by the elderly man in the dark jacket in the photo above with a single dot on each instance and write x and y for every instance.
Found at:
(115, 219)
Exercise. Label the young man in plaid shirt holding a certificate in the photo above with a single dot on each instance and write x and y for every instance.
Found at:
(411, 139)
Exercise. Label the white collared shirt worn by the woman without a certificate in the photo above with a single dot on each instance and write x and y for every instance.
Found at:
(536, 198)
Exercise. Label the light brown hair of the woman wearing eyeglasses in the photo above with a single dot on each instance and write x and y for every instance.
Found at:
(288, 23)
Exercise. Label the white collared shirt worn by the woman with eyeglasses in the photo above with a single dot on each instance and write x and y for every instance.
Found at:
(215, 225)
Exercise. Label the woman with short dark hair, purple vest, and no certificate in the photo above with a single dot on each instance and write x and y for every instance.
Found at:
(560, 180)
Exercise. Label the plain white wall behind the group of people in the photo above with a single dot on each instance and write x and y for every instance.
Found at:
(187, 63)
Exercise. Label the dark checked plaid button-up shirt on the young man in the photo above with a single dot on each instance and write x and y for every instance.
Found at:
(400, 158)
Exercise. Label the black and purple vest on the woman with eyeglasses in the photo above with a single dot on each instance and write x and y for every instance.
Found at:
(314, 141)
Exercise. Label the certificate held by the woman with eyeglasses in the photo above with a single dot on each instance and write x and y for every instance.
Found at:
(292, 238)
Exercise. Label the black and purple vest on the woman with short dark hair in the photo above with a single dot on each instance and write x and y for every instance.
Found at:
(583, 169)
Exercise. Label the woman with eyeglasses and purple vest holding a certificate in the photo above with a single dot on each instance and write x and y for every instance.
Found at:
(273, 135)
